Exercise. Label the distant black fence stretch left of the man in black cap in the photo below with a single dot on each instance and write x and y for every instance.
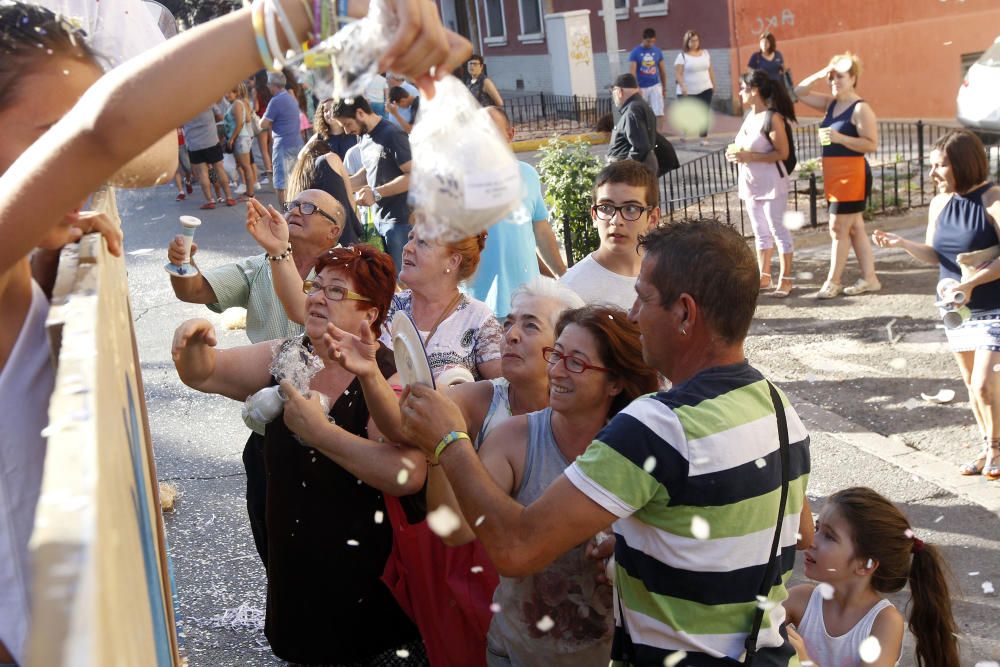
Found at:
(545, 114)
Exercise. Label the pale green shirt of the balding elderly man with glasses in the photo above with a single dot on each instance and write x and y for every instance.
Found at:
(249, 284)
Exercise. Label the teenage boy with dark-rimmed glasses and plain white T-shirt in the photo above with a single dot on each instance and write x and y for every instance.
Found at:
(626, 205)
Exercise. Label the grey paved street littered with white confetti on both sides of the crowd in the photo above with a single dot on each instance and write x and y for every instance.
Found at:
(834, 358)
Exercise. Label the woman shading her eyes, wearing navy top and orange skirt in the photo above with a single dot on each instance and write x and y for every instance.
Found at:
(848, 131)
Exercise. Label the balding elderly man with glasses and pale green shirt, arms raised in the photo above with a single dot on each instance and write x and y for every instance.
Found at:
(313, 224)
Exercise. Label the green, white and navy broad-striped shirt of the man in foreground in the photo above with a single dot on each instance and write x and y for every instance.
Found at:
(694, 475)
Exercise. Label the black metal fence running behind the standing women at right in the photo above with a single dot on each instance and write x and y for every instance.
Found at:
(707, 186)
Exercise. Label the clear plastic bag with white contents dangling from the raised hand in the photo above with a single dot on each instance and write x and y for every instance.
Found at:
(465, 176)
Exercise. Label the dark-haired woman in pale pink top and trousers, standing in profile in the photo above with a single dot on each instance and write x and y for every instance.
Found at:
(761, 145)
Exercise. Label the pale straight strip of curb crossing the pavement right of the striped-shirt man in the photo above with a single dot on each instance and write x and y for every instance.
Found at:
(933, 469)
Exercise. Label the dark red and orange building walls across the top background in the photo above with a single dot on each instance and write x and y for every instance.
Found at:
(914, 51)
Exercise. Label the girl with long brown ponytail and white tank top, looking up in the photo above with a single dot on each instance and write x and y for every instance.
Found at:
(864, 548)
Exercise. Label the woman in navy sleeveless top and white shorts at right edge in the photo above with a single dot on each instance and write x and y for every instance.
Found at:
(963, 227)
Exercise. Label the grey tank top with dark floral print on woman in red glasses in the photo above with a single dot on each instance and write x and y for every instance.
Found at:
(579, 607)
